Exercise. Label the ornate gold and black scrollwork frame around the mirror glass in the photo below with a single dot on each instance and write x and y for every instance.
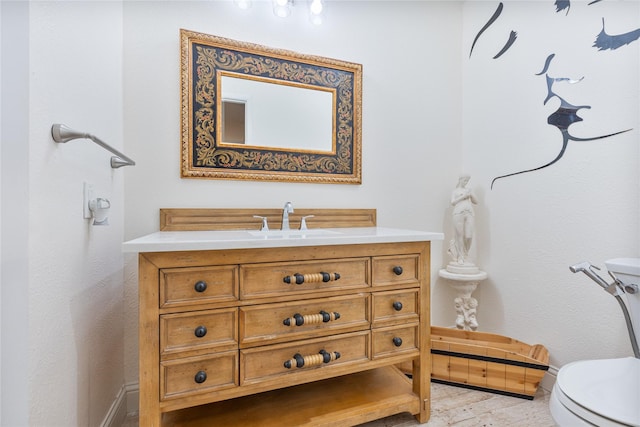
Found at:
(206, 58)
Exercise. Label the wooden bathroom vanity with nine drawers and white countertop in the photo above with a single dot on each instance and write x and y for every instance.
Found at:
(242, 327)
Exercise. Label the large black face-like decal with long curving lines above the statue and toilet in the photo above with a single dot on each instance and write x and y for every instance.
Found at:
(562, 118)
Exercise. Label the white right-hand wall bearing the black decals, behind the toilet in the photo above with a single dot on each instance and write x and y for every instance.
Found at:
(583, 208)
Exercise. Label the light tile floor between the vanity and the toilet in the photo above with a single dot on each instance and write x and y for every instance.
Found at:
(459, 407)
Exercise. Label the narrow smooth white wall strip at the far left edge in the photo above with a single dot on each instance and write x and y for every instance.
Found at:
(14, 227)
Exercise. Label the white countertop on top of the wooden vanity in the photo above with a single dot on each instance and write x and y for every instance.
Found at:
(165, 241)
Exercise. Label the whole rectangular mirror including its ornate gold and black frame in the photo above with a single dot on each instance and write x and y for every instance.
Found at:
(252, 112)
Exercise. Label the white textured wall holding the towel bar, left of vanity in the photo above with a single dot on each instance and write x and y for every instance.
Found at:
(75, 361)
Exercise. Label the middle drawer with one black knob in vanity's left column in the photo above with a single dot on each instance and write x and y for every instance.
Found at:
(199, 331)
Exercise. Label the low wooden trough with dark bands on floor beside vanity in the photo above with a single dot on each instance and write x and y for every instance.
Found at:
(487, 362)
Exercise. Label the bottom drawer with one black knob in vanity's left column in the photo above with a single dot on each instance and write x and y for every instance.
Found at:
(196, 375)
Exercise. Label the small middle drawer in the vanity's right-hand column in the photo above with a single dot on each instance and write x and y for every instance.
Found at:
(395, 306)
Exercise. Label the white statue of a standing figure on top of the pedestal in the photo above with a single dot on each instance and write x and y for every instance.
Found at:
(462, 200)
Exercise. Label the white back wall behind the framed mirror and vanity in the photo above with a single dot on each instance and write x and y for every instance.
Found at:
(411, 113)
